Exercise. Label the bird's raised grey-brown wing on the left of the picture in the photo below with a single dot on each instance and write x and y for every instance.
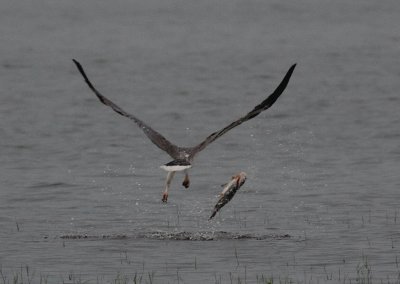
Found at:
(155, 137)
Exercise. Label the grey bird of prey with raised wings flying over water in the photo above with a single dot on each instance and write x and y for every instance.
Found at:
(183, 156)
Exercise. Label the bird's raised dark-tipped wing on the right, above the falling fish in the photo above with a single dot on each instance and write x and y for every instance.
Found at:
(267, 103)
